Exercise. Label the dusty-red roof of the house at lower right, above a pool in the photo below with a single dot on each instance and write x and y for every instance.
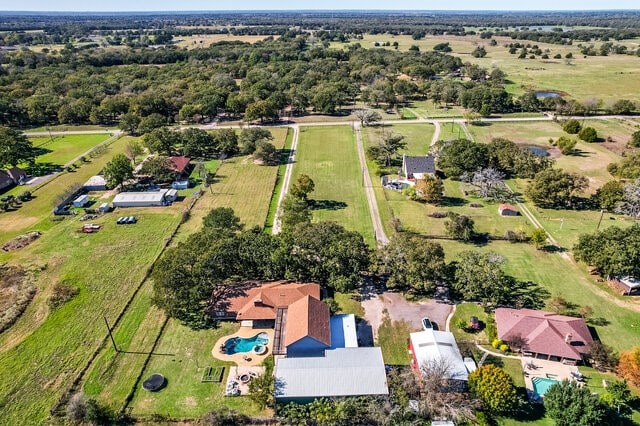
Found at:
(545, 332)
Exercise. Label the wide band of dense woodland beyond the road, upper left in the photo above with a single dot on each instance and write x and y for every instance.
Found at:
(104, 86)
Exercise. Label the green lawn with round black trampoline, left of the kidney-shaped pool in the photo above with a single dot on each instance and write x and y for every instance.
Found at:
(183, 355)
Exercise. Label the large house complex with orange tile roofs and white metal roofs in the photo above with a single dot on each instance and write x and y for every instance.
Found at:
(317, 355)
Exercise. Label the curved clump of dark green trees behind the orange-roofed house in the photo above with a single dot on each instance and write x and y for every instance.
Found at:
(193, 277)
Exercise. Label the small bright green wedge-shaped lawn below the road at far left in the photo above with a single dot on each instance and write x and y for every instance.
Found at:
(59, 150)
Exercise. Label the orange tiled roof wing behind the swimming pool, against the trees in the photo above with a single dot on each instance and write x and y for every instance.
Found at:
(262, 301)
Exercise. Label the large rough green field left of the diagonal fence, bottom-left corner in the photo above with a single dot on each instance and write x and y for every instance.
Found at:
(44, 351)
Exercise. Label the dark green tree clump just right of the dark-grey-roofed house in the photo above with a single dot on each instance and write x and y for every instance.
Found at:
(459, 157)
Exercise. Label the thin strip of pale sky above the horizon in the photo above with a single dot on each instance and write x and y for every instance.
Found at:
(224, 5)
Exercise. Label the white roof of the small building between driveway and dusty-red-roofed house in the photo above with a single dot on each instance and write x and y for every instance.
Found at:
(431, 346)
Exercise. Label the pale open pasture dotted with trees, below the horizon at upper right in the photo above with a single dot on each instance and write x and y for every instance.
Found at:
(605, 77)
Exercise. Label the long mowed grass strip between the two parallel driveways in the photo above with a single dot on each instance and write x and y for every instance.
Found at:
(328, 155)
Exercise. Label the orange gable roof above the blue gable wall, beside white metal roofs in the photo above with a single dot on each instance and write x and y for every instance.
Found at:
(307, 317)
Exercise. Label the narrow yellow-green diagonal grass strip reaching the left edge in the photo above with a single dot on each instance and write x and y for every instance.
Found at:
(36, 214)
